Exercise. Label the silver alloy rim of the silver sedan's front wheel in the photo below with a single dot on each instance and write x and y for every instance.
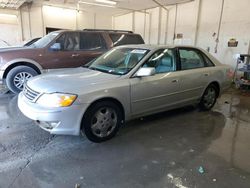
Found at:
(104, 122)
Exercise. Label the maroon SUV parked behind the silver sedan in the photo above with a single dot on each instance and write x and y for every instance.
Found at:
(59, 49)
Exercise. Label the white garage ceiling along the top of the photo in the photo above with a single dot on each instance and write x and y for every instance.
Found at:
(94, 5)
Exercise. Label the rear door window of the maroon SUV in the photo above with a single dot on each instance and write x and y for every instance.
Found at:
(91, 41)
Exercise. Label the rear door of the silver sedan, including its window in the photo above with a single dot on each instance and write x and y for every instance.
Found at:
(194, 73)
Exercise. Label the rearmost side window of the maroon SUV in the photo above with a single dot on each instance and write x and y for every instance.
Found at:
(123, 39)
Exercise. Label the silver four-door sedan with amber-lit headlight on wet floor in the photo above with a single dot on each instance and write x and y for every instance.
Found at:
(125, 83)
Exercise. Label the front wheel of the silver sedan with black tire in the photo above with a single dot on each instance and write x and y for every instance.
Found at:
(90, 120)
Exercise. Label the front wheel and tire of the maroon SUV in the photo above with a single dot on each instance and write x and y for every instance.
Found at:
(11, 82)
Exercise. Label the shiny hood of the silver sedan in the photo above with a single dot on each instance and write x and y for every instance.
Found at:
(73, 80)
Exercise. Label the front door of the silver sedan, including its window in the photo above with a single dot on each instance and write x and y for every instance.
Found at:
(157, 92)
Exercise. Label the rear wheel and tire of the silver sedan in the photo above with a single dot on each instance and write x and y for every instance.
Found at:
(209, 98)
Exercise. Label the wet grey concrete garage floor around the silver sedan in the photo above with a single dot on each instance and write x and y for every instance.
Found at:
(164, 150)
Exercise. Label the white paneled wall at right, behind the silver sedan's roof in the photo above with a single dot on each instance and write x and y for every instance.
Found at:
(160, 27)
